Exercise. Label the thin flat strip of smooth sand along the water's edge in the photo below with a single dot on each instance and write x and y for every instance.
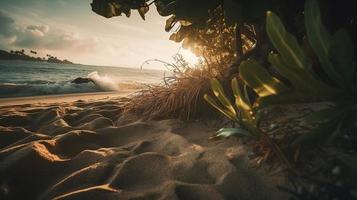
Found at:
(62, 98)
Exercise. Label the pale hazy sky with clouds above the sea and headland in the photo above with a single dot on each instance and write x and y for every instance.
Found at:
(69, 29)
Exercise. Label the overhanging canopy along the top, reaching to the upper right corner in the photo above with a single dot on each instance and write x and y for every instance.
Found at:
(193, 22)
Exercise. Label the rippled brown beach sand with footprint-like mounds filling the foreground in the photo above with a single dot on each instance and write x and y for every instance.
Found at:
(88, 150)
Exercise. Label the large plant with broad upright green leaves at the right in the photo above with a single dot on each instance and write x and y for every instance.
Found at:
(293, 62)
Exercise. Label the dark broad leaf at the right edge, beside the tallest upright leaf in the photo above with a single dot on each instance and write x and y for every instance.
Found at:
(341, 55)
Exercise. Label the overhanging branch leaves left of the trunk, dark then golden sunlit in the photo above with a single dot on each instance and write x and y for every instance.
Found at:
(207, 28)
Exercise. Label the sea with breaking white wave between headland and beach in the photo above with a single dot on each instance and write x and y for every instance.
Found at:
(23, 78)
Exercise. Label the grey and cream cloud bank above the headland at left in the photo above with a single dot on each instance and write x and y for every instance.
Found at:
(42, 37)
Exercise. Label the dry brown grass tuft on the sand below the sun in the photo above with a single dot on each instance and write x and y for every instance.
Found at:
(181, 95)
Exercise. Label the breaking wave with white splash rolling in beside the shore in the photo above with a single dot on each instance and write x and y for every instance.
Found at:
(42, 87)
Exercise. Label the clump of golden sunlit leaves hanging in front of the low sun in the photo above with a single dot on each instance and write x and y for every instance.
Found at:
(215, 42)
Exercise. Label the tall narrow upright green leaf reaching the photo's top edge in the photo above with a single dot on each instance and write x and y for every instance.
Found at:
(319, 39)
